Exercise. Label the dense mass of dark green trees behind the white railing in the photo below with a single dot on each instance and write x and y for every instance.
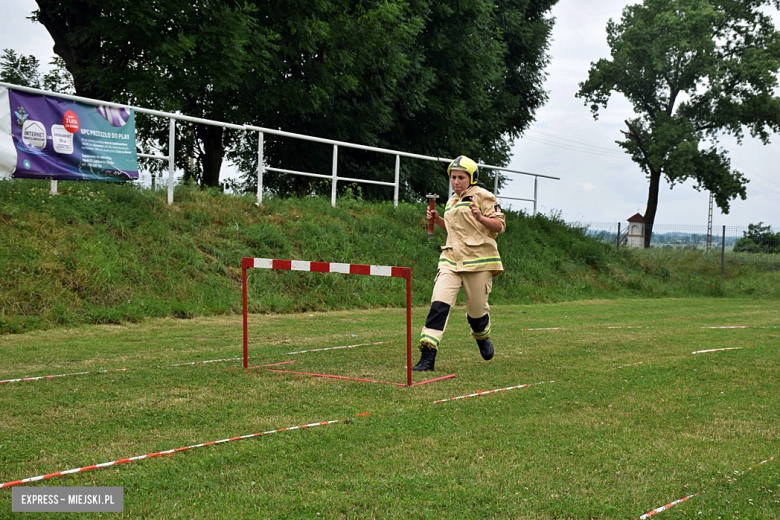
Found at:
(436, 77)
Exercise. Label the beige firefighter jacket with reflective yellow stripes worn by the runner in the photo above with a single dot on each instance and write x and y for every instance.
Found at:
(470, 245)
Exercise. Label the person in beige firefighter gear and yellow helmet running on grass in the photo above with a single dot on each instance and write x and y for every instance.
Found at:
(473, 220)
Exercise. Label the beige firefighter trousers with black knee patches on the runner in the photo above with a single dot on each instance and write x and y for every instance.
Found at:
(477, 286)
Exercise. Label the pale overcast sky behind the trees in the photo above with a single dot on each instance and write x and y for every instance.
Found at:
(598, 182)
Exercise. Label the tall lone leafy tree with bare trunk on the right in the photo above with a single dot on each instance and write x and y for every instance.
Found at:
(692, 69)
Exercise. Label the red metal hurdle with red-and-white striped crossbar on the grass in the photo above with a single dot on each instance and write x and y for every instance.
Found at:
(334, 267)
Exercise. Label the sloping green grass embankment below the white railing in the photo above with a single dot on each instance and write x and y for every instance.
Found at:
(103, 253)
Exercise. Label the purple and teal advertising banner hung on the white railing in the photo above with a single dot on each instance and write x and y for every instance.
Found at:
(44, 137)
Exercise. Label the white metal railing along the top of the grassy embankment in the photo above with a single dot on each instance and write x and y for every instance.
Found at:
(262, 168)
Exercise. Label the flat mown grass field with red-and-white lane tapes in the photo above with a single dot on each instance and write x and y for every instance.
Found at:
(620, 417)
